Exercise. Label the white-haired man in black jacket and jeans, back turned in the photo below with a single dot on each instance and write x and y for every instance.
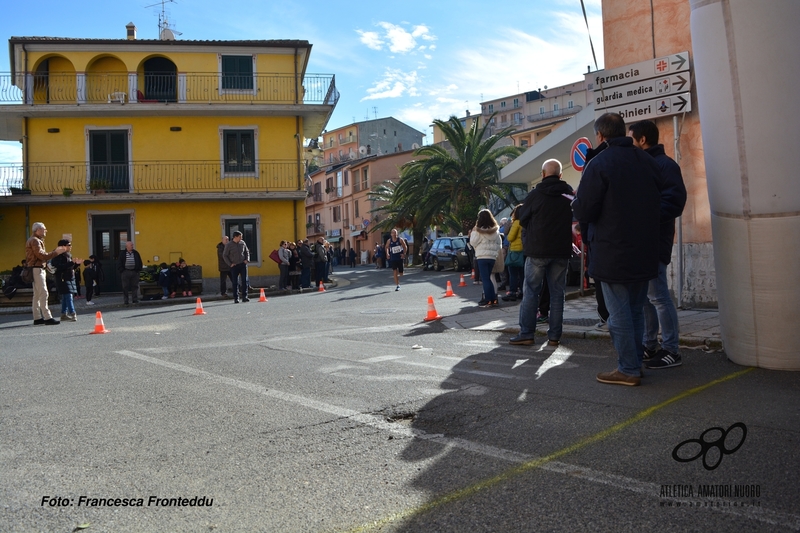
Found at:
(547, 245)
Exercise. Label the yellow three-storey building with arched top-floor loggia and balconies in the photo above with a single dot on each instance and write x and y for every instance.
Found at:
(170, 144)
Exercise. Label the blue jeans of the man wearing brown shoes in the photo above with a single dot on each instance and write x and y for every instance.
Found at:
(626, 323)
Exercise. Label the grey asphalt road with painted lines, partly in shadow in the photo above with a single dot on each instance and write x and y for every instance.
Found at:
(344, 411)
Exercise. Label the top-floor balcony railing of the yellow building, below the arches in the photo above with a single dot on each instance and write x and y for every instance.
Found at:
(123, 87)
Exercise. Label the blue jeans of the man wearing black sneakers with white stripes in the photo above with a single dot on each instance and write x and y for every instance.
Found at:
(659, 309)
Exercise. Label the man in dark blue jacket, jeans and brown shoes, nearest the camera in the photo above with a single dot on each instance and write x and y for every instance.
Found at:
(619, 198)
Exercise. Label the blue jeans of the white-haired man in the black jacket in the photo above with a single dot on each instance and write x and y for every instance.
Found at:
(536, 269)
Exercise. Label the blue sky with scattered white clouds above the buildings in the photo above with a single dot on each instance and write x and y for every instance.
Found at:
(413, 60)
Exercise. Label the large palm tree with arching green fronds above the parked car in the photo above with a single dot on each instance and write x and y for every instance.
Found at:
(462, 178)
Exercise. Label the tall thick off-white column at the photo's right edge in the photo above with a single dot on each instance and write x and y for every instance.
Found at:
(747, 70)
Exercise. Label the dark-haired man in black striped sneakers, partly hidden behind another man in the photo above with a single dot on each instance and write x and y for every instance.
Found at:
(659, 307)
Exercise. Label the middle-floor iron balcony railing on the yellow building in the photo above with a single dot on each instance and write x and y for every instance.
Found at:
(149, 177)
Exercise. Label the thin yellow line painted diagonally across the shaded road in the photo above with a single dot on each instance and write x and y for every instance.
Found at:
(466, 492)
